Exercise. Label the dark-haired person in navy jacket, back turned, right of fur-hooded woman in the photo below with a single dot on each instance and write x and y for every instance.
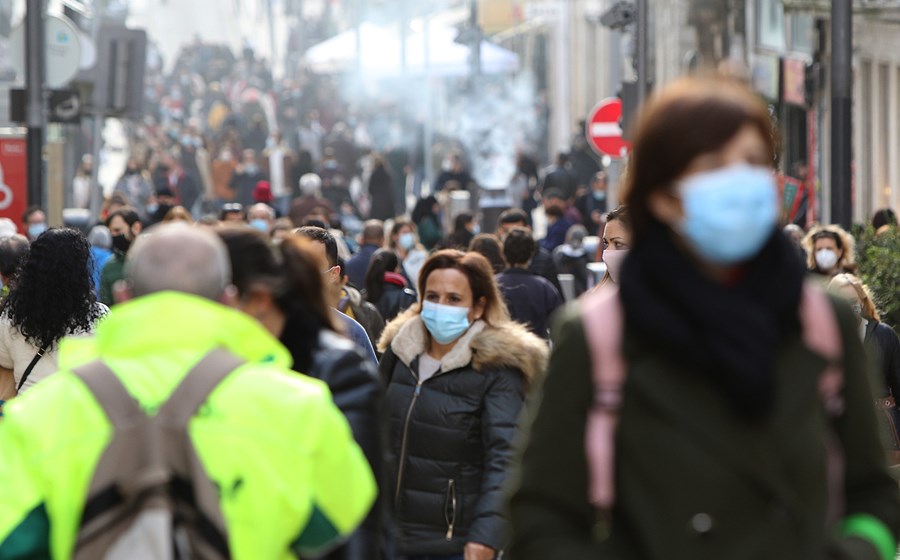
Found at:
(531, 300)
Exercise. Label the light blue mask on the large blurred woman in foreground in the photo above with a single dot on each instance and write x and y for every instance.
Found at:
(729, 213)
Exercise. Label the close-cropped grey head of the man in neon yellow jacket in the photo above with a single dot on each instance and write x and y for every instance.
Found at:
(178, 257)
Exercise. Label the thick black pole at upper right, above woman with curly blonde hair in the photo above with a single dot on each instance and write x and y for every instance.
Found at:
(841, 111)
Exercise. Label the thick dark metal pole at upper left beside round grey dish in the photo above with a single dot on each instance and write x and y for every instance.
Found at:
(35, 118)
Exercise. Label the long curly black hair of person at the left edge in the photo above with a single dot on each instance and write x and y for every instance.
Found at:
(53, 295)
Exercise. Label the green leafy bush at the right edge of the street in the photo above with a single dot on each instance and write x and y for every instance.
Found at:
(879, 267)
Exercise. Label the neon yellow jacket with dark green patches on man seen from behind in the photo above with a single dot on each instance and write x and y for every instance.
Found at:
(295, 480)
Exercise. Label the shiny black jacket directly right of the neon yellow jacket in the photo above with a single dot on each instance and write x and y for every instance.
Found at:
(357, 392)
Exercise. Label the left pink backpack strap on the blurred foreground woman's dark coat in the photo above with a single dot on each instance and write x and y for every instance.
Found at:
(602, 320)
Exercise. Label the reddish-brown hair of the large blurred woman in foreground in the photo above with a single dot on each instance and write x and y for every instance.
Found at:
(689, 118)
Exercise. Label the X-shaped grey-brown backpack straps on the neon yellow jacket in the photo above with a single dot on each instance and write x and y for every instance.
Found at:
(151, 452)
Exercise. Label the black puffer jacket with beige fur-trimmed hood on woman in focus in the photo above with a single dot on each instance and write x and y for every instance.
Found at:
(450, 437)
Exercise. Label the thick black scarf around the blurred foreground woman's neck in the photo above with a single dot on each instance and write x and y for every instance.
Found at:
(728, 331)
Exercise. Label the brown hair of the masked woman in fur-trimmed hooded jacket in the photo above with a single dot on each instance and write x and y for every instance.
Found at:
(478, 271)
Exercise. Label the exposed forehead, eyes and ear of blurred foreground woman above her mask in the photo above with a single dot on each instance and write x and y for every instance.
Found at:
(746, 146)
